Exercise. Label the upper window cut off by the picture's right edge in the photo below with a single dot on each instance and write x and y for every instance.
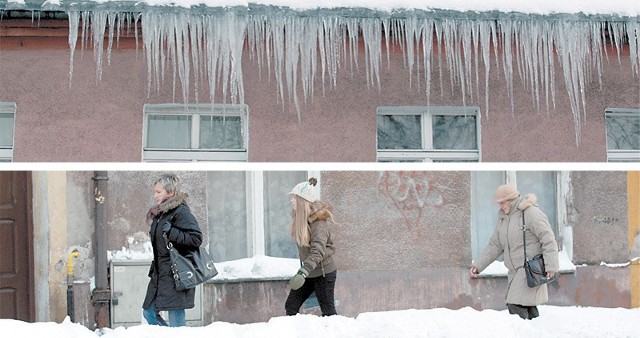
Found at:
(623, 134)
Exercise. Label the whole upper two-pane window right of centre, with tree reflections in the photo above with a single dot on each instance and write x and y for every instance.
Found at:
(428, 134)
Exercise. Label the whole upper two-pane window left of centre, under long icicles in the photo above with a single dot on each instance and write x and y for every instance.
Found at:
(195, 132)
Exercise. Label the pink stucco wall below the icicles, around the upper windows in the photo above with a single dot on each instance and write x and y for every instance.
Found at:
(89, 120)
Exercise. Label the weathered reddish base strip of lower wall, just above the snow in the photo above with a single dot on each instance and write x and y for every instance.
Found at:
(368, 291)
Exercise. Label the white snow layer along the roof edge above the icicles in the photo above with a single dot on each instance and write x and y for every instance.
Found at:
(488, 8)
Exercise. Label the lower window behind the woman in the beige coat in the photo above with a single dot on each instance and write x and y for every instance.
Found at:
(546, 185)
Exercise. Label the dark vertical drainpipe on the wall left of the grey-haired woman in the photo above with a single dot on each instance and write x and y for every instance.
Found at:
(101, 295)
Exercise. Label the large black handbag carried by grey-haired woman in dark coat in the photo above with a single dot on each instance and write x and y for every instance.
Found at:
(191, 269)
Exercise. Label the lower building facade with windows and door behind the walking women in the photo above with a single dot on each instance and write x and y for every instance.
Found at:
(405, 239)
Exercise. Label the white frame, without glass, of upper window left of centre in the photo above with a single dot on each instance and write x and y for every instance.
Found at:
(195, 111)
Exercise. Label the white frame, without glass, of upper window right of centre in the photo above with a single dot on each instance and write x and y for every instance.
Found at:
(427, 153)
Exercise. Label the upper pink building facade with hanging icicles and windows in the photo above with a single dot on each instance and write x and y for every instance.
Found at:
(275, 85)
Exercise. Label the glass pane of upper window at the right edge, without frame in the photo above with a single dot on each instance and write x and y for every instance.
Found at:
(623, 132)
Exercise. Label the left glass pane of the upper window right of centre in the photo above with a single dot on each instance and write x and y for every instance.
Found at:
(399, 132)
